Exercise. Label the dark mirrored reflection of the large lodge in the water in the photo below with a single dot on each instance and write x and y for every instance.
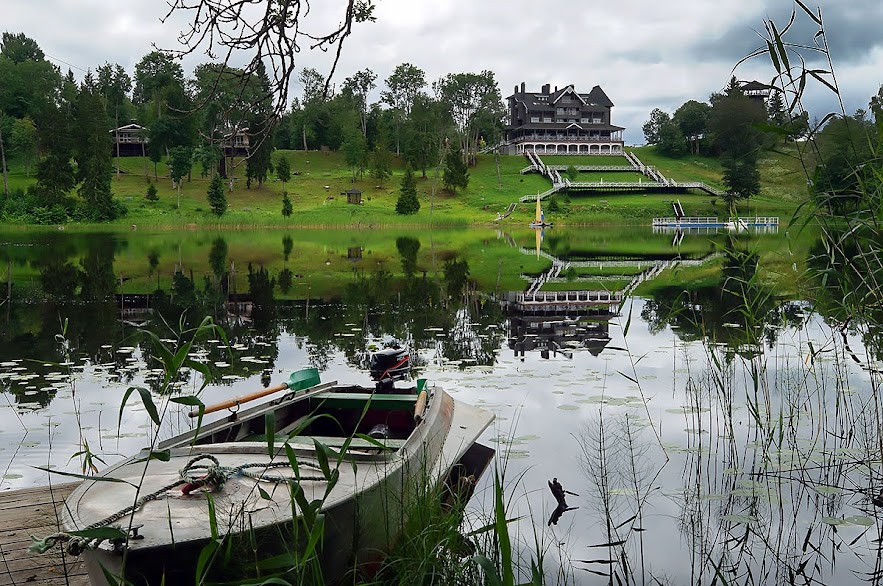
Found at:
(560, 333)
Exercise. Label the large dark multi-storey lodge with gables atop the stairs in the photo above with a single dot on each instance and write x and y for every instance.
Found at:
(561, 122)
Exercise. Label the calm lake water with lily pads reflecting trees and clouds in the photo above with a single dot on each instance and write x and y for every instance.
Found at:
(698, 440)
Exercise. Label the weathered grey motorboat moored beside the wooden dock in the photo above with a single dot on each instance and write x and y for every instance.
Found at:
(363, 457)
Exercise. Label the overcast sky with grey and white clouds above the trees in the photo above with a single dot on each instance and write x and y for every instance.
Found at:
(643, 53)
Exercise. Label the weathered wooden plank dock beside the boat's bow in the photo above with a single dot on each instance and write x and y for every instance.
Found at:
(35, 511)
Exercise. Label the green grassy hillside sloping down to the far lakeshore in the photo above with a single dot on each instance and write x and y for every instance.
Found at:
(319, 178)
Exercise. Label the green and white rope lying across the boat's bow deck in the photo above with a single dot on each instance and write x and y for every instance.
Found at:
(213, 476)
